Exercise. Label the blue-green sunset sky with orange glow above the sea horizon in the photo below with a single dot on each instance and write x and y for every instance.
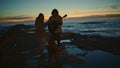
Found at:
(77, 10)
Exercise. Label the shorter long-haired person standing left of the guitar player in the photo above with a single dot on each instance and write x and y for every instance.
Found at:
(41, 33)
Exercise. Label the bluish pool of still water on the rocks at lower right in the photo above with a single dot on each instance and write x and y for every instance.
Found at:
(95, 59)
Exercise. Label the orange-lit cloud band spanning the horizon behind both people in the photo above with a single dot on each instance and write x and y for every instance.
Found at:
(73, 16)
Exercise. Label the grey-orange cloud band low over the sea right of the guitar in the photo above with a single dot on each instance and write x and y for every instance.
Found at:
(96, 17)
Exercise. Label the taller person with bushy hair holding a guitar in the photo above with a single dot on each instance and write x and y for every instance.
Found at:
(54, 25)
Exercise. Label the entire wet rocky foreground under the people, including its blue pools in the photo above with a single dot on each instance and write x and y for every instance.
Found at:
(18, 45)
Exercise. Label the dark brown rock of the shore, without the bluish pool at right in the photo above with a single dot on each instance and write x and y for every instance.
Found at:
(18, 45)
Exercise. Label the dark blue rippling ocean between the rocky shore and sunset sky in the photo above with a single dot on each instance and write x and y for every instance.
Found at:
(103, 28)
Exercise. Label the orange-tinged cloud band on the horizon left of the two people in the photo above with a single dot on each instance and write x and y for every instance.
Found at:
(21, 18)
